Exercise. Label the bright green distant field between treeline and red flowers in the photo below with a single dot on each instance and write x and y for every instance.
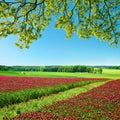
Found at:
(107, 73)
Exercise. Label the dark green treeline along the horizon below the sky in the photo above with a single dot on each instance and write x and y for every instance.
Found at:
(74, 68)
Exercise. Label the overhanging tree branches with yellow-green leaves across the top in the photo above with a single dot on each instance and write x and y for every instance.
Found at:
(86, 18)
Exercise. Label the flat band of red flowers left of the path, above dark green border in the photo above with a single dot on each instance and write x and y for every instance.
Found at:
(9, 83)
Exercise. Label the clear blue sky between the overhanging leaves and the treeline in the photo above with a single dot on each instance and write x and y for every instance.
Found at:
(54, 49)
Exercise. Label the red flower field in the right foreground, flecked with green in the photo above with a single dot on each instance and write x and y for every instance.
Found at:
(101, 103)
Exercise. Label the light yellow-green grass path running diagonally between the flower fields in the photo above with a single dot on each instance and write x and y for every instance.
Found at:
(39, 104)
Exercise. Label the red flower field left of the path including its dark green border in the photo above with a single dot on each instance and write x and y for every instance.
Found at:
(26, 88)
